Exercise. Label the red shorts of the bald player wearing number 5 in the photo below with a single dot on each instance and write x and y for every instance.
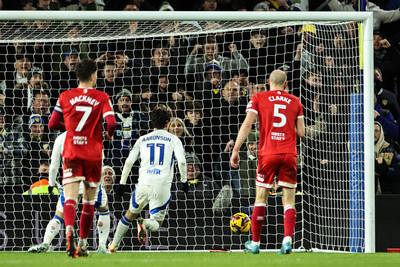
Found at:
(281, 165)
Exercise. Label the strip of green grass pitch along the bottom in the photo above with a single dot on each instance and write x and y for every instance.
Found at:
(203, 259)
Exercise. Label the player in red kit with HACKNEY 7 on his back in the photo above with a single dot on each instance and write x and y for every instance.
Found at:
(83, 110)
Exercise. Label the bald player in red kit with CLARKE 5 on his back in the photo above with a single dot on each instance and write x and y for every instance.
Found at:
(280, 117)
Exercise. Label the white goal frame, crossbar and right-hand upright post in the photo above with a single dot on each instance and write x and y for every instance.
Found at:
(366, 60)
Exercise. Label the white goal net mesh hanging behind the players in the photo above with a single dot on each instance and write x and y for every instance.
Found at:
(205, 72)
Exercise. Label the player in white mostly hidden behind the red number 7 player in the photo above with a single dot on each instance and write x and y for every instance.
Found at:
(101, 205)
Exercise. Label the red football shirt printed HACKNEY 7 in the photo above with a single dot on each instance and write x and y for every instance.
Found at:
(83, 111)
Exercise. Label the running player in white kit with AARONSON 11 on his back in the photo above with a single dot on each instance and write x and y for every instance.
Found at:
(157, 151)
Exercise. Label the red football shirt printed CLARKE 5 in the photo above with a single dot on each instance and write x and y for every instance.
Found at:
(277, 114)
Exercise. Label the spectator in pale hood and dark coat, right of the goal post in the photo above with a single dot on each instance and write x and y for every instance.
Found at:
(387, 164)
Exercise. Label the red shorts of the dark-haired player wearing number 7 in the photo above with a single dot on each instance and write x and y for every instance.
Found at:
(82, 170)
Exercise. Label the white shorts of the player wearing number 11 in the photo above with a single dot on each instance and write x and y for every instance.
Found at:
(158, 198)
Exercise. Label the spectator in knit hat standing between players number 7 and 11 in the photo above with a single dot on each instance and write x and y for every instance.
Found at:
(131, 124)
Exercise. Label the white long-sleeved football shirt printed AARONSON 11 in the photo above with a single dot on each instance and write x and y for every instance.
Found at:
(157, 151)
